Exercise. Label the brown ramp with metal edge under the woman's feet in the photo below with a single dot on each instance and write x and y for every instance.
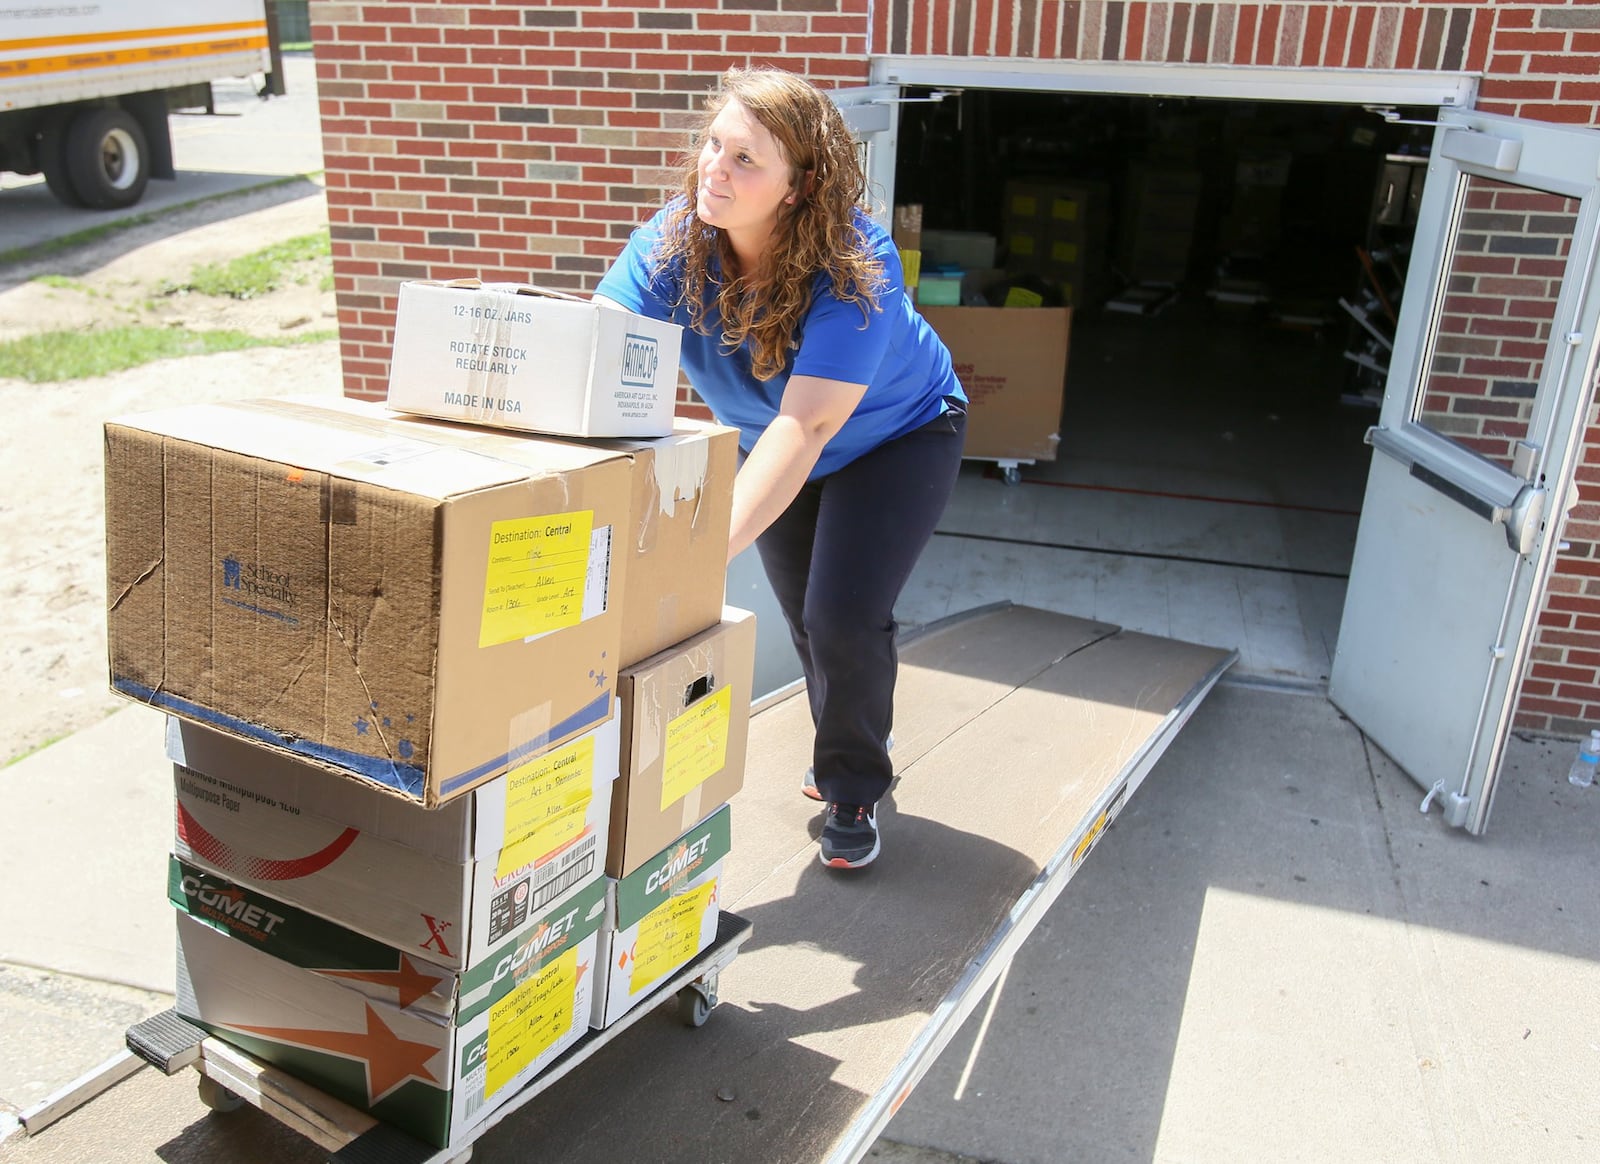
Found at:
(1018, 735)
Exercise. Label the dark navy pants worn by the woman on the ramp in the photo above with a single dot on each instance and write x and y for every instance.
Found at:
(838, 562)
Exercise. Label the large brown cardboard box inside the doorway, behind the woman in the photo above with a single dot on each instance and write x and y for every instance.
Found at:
(1014, 365)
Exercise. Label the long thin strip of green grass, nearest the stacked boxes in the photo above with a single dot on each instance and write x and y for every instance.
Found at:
(73, 356)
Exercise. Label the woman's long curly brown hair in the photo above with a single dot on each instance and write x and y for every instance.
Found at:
(818, 234)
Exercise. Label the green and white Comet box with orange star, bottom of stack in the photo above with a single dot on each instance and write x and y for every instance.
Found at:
(425, 1050)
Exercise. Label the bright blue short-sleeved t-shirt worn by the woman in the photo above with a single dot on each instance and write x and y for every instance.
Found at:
(892, 351)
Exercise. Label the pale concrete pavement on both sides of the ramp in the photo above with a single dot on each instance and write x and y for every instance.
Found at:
(1273, 957)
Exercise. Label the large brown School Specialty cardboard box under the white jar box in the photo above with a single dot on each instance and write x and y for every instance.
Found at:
(420, 605)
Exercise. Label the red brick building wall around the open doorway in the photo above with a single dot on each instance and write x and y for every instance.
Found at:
(522, 140)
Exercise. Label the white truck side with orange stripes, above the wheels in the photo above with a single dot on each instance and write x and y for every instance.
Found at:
(54, 54)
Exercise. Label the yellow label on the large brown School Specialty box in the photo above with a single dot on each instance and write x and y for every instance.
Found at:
(537, 575)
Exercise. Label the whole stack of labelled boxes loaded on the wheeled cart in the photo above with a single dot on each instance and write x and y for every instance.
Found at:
(455, 711)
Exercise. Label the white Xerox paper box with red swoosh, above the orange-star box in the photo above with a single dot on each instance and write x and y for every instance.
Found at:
(449, 885)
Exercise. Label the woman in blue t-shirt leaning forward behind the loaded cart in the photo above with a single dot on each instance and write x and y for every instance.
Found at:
(799, 332)
